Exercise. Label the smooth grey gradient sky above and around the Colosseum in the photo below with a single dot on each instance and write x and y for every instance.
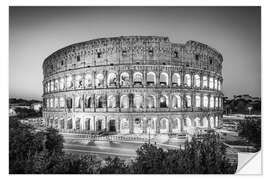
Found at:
(36, 32)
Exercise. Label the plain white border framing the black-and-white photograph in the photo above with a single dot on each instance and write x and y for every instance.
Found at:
(5, 84)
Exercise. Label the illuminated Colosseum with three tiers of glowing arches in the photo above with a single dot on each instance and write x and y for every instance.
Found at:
(133, 85)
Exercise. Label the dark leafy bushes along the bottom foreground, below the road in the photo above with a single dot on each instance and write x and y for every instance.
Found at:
(42, 153)
